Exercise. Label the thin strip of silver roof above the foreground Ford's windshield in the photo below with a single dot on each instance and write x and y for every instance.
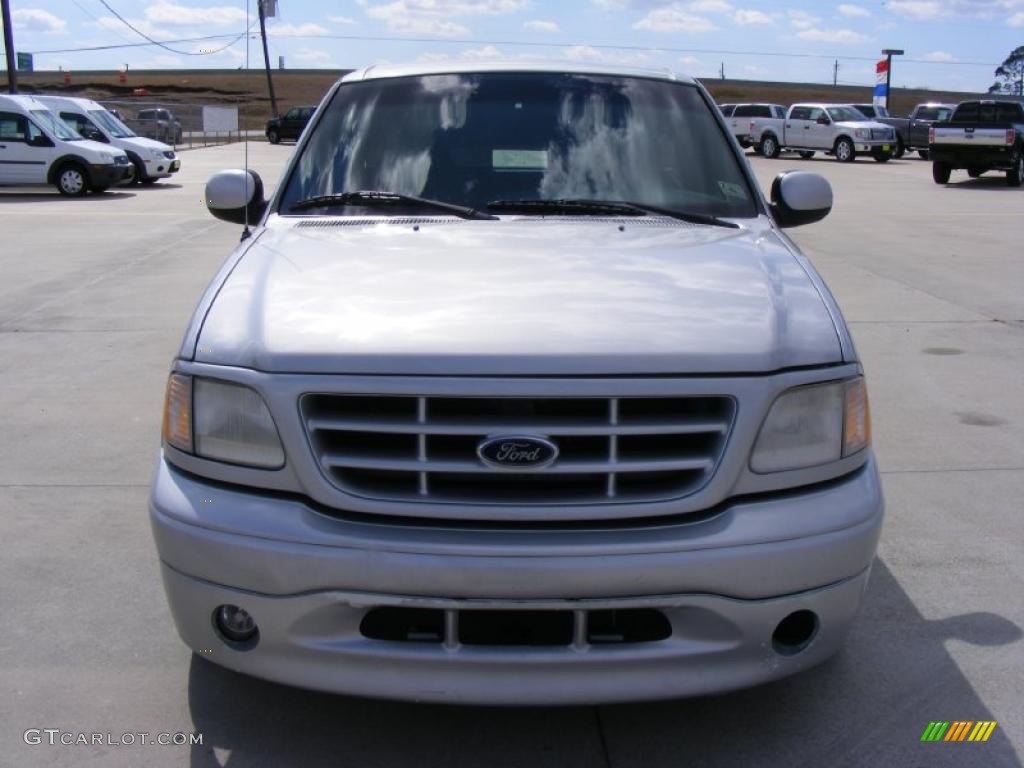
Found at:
(379, 72)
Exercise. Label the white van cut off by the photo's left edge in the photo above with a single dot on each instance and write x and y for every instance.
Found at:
(37, 148)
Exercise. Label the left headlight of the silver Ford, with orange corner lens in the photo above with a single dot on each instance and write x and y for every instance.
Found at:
(222, 421)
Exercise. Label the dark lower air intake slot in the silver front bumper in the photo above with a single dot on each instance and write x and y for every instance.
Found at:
(516, 628)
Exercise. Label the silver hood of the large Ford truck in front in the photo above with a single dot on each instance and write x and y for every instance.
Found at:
(527, 296)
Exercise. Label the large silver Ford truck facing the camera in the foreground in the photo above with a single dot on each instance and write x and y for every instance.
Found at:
(517, 392)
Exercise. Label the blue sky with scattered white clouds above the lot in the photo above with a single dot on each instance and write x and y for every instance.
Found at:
(952, 45)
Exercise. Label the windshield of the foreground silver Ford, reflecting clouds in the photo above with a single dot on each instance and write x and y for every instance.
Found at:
(473, 140)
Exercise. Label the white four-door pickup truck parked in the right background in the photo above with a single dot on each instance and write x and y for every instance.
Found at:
(834, 130)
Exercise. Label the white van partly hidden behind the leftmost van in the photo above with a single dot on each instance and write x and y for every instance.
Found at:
(153, 160)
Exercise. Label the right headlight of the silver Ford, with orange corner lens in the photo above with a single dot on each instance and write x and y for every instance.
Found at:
(814, 425)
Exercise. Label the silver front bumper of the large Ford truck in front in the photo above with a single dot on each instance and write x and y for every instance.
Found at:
(723, 582)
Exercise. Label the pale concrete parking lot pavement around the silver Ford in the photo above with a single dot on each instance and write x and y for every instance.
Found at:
(95, 296)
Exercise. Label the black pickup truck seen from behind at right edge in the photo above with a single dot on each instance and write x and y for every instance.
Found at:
(983, 136)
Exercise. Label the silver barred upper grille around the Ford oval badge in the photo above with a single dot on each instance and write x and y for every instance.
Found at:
(612, 450)
